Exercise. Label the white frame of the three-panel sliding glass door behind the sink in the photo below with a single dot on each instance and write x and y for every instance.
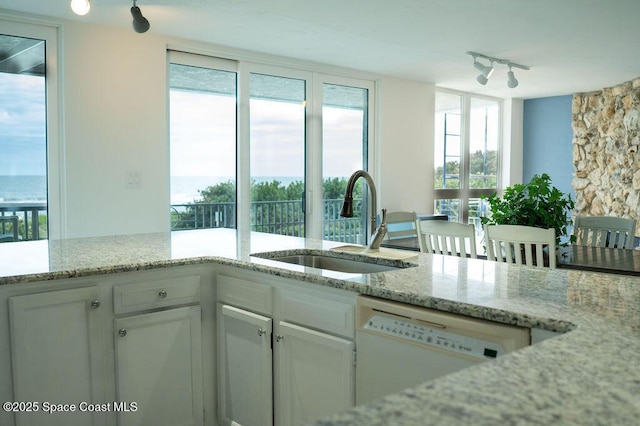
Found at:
(313, 128)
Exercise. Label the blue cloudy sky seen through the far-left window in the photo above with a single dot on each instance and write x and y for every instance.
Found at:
(22, 125)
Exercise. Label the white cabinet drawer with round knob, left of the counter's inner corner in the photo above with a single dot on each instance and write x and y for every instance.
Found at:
(154, 294)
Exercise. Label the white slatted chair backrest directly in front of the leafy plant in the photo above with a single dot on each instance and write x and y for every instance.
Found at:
(517, 243)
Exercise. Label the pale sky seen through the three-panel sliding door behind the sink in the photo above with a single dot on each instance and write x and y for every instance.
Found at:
(203, 137)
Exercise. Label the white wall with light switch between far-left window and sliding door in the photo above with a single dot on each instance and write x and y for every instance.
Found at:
(114, 124)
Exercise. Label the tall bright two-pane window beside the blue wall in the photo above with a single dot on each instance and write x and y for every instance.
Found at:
(467, 140)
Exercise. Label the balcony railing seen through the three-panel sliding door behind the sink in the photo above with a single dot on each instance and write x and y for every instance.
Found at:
(275, 217)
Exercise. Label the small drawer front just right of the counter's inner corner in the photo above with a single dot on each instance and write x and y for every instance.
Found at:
(245, 294)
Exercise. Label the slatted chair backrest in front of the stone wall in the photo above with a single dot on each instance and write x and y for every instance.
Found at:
(604, 231)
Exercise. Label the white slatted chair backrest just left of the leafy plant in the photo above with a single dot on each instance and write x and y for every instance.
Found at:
(453, 238)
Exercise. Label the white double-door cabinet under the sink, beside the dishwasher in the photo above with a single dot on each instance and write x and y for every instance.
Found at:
(309, 357)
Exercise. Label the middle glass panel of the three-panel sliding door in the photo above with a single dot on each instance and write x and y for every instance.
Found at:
(277, 151)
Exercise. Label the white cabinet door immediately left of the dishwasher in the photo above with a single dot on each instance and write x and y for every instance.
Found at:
(315, 374)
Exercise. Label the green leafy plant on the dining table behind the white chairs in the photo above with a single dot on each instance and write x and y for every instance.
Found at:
(537, 203)
